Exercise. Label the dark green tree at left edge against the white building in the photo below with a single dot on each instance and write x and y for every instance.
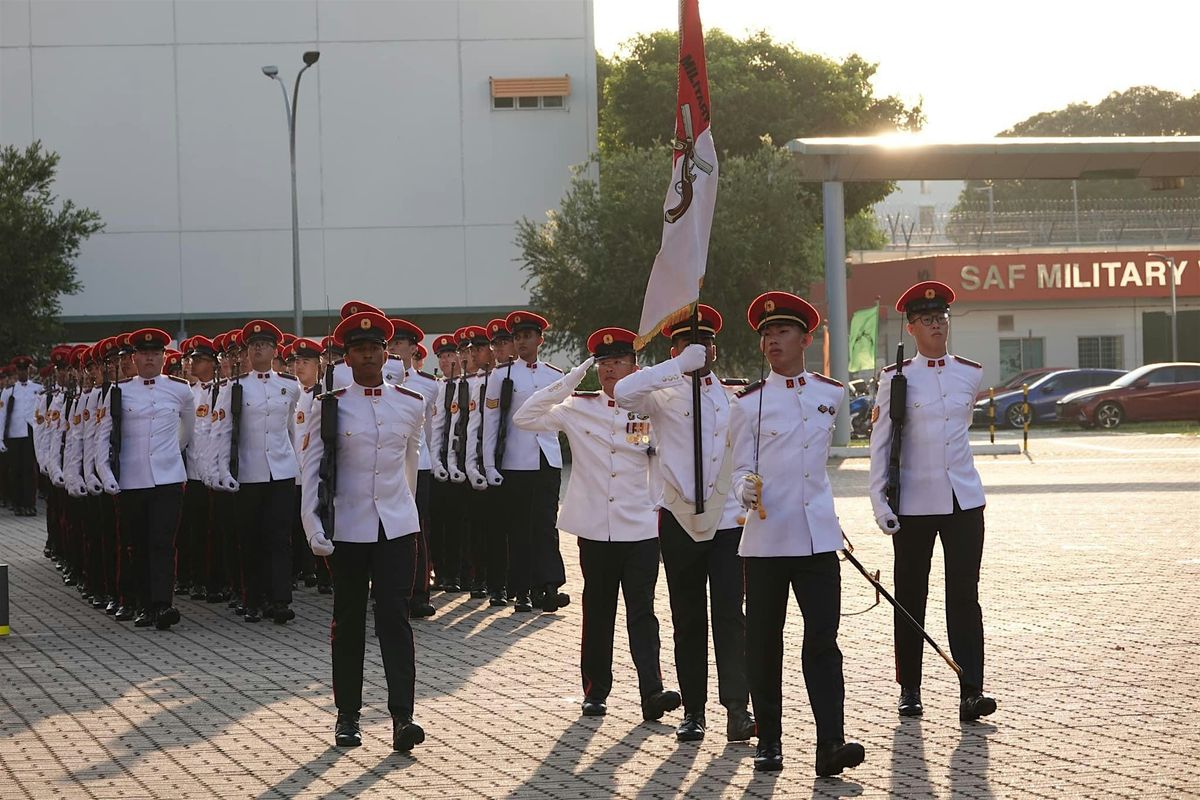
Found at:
(40, 239)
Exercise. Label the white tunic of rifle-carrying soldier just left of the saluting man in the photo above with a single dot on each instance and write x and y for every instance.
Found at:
(523, 449)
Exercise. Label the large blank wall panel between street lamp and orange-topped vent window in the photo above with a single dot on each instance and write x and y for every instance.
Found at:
(391, 135)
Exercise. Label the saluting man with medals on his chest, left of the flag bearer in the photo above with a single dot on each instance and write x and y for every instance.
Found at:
(610, 509)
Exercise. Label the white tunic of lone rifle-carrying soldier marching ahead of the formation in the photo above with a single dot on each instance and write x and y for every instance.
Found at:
(377, 441)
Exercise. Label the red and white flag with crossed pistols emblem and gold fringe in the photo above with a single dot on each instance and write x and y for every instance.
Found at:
(679, 269)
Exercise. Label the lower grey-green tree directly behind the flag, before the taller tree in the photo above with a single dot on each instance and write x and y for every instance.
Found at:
(589, 263)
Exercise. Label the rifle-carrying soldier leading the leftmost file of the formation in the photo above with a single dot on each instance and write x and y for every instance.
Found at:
(158, 417)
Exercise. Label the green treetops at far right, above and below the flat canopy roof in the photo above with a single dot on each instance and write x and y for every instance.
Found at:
(1139, 111)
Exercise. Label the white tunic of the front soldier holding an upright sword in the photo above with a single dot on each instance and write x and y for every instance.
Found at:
(799, 417)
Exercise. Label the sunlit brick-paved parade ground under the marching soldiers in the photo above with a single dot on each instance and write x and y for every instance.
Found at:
(1094, 653)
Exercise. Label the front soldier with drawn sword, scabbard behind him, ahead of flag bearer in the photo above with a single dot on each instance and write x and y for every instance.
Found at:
(782, 432)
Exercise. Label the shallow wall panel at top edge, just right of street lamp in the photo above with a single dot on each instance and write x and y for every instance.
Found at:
(395, 21)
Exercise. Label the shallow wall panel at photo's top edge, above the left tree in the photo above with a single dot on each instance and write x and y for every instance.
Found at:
(103, 22)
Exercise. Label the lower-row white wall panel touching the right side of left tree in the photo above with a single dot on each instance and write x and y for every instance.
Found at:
(128, 274)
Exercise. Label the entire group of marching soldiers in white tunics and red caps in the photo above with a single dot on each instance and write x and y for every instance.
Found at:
(237, 468)
